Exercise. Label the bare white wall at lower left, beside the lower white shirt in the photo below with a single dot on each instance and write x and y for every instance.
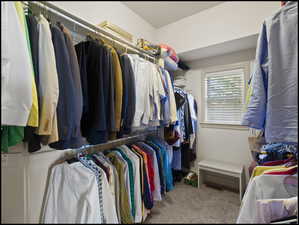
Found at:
(24, 178)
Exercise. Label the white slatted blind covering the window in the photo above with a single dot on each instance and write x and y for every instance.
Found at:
(224, 96)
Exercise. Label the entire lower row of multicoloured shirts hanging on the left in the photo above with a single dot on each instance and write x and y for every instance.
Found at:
(123, 183)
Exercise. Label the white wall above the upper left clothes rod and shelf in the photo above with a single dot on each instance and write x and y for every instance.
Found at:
(115, 12)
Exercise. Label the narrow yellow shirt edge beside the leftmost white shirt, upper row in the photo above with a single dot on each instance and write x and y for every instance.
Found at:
(33, 116)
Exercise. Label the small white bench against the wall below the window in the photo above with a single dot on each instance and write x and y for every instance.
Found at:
(233, 170)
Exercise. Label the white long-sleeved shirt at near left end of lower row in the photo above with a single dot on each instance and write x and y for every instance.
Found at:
(72, 195)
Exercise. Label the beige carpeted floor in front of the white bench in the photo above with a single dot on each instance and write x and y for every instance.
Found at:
(187, 204)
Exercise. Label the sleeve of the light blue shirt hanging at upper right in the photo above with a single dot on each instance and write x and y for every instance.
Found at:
(256, 112)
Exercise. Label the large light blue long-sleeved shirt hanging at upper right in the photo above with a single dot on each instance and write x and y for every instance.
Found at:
(273, 104)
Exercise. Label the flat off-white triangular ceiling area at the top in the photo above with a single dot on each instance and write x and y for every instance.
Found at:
(161, 13)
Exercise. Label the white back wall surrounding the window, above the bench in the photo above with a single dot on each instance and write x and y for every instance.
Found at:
(221, 144)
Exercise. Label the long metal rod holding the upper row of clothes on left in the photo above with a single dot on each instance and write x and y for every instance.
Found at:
(84, 24)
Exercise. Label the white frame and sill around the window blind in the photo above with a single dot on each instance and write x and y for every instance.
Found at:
(245, 66)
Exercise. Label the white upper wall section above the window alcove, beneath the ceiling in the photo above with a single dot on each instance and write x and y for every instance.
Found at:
(222, 23)
